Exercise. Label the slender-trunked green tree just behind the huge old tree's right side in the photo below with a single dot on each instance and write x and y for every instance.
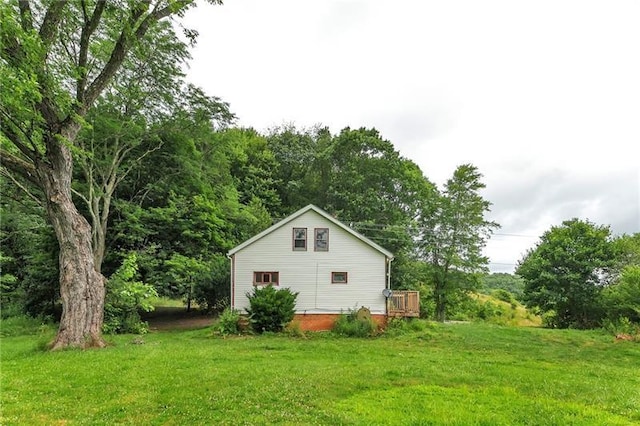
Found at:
(146, 93)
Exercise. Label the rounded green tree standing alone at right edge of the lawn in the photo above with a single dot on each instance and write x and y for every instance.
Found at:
(566, 272)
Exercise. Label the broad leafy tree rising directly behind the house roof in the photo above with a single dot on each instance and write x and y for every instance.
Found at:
(360, 178)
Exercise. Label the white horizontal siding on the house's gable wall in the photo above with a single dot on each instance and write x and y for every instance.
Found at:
(309, 272)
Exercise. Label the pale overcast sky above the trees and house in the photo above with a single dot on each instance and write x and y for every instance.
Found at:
(542, 96)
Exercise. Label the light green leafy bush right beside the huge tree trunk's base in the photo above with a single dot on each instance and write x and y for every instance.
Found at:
(125, 298)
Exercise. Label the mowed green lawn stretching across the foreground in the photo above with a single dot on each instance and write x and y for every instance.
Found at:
(462, 374)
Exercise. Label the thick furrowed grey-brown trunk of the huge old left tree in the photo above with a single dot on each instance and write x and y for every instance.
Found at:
(82, 287)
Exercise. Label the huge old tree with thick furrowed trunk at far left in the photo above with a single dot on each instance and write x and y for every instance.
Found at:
(57, 59)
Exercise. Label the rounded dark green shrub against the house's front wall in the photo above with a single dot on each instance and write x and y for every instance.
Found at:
(271, 309)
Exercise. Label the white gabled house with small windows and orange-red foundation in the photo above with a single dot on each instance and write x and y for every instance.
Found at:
(332, 267)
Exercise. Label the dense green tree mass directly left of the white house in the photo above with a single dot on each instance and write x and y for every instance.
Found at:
(191, 202)
